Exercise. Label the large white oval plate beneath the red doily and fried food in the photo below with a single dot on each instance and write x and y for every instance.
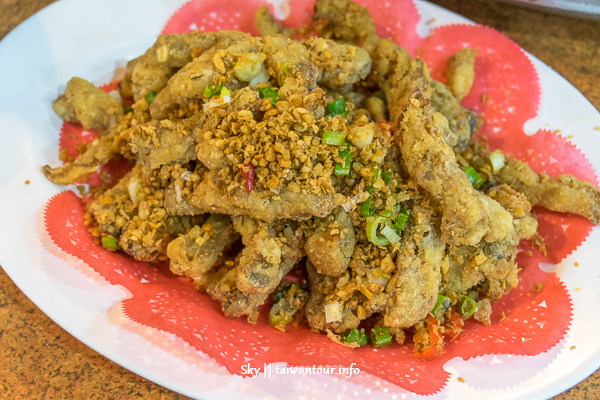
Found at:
(91, 39)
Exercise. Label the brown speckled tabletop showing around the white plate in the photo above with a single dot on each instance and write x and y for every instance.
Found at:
(40, 360)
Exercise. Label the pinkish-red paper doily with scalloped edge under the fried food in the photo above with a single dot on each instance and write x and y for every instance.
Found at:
(535, 321)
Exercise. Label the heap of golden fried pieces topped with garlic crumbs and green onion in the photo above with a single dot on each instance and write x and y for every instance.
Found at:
(323, 149)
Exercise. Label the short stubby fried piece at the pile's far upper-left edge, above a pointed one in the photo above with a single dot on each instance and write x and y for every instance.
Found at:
(84, 103)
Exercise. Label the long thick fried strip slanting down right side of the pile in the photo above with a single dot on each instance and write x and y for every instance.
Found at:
(468, 216)
